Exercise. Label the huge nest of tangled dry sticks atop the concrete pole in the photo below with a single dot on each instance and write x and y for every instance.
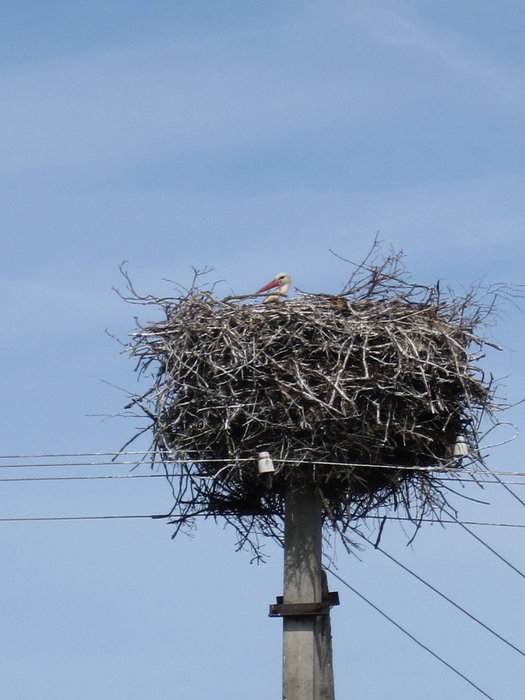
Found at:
(352, 393)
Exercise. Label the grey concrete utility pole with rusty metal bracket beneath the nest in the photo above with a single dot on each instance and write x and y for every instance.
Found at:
(305, 605)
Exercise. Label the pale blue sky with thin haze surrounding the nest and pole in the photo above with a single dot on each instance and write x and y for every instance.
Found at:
(251, 137)
